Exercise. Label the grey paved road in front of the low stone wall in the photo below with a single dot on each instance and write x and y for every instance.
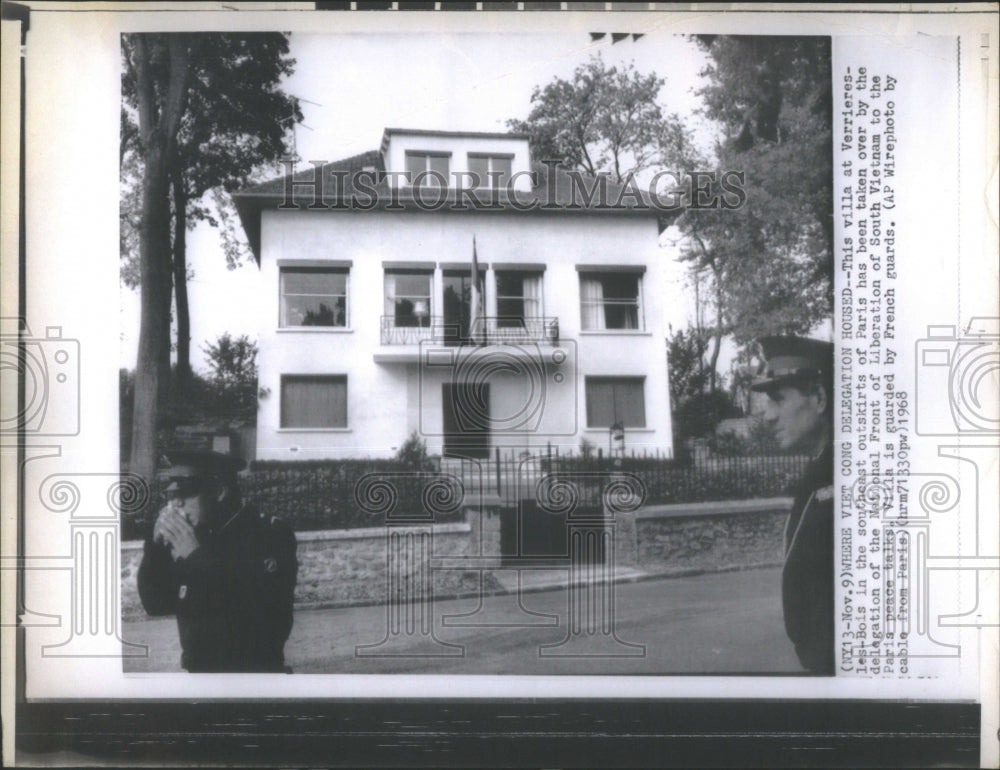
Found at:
(720, 623)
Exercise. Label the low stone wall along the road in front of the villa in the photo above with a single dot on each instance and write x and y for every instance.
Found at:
(348, 567)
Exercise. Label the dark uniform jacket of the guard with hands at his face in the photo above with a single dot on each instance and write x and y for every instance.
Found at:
(232, 595)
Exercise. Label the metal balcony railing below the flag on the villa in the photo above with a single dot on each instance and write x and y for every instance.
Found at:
(484, 331)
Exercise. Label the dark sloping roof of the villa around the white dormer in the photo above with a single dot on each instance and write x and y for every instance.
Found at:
(557, 190)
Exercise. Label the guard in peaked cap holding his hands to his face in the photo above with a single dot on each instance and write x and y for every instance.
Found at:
(226, 572)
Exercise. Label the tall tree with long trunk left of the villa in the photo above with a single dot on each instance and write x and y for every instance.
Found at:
(206, 109)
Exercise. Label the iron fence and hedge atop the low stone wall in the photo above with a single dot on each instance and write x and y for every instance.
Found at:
(324, 494)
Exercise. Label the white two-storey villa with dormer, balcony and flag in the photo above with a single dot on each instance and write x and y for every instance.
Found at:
(373, 327)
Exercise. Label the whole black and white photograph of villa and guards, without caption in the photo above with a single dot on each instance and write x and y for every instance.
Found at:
(533, 356)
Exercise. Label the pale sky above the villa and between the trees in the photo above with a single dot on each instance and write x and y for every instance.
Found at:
(354, 86)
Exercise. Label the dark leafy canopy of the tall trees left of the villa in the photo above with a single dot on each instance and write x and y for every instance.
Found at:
(236, 120)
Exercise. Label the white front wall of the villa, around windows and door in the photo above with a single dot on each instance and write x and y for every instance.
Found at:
(385, 400)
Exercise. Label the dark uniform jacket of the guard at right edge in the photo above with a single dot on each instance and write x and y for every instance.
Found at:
(807, 579)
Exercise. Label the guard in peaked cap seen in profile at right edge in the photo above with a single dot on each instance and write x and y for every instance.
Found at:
(797, 376)
